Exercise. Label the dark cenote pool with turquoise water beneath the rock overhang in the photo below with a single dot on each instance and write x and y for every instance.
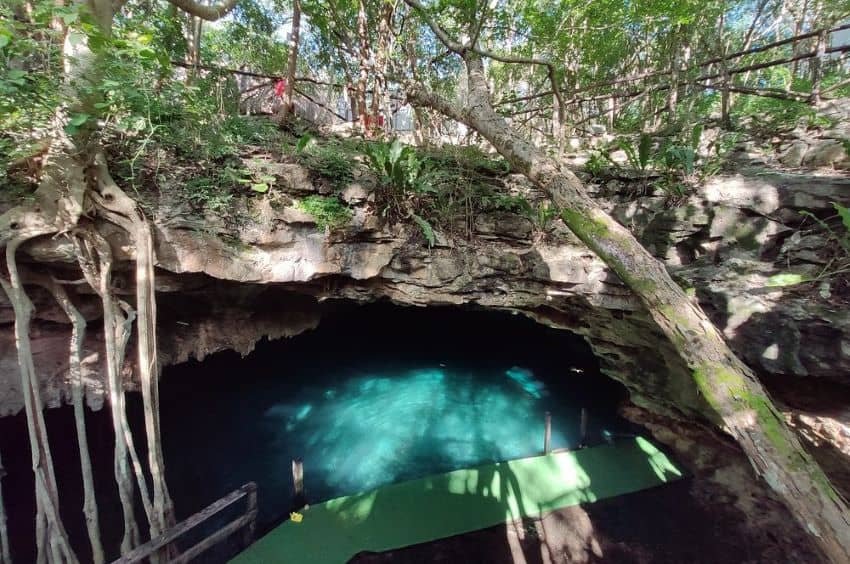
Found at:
(376, 394)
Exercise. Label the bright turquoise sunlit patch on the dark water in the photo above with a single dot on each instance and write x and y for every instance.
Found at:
(376, 428)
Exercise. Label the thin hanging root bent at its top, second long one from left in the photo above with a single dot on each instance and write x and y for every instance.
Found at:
(75, 354)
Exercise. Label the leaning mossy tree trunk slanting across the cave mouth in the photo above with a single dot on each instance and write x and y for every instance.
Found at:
(737, 402)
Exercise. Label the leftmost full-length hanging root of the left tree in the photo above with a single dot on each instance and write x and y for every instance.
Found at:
(49, 528)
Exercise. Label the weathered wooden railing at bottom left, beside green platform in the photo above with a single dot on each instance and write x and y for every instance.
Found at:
(245, 523)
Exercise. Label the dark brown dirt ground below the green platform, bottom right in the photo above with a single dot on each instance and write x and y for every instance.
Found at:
(677, 524)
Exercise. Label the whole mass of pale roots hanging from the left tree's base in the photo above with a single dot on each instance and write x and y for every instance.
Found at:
(66, 189)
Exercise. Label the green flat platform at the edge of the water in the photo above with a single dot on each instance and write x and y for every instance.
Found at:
(458, 502)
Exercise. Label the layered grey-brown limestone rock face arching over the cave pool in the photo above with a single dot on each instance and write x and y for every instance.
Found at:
(223, 284)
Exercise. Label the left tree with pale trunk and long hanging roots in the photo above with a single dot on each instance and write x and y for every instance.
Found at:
(76, 183)
